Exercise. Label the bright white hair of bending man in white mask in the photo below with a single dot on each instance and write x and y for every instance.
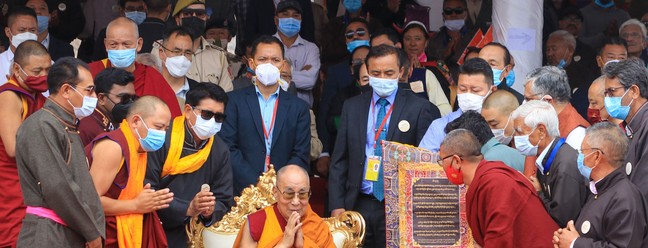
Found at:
(538, 112)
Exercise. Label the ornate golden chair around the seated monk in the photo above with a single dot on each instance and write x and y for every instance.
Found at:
(348, 229)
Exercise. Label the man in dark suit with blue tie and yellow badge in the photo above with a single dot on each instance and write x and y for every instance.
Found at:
(356, 177)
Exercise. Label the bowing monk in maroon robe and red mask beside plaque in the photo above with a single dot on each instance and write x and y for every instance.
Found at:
(503, 208)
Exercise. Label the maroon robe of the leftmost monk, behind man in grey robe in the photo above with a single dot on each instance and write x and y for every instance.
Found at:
(12, 209)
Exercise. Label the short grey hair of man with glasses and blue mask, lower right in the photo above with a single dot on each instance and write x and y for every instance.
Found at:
(609, 138)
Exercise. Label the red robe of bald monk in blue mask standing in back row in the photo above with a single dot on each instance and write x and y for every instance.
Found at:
(148, 81)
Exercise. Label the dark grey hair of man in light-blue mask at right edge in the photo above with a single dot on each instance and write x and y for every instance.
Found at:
(631, 71)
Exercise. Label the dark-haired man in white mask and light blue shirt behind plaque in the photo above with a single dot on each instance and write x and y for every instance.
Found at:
(475, 83)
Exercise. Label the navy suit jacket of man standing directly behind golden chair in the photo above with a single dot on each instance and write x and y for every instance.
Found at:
(243, 132)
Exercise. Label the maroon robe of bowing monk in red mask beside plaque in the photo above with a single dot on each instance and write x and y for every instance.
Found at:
(504, 209)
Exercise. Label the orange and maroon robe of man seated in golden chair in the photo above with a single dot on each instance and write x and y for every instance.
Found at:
(266, 227)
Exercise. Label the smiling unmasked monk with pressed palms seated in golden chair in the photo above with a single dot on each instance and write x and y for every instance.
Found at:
(290, 222)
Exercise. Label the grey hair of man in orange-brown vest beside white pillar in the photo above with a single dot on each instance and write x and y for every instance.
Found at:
(550, 80)
